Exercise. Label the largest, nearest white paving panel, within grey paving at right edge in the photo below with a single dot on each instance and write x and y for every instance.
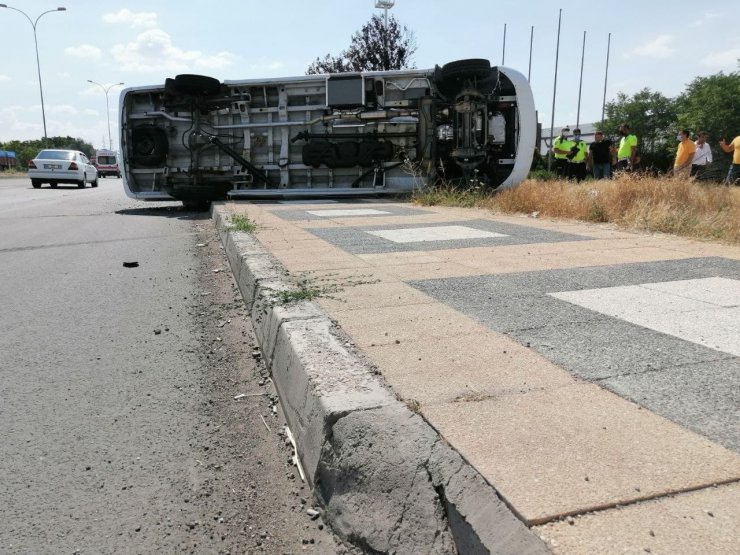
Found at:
(703, 311)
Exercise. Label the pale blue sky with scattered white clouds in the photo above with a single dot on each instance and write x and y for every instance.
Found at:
(662, 45)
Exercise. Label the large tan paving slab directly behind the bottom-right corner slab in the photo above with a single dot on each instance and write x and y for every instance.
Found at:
(578, 448)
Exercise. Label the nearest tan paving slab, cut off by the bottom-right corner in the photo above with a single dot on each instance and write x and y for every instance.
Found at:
(700, 522)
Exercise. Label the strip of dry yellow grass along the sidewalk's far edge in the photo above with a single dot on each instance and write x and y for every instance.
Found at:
(676, 206)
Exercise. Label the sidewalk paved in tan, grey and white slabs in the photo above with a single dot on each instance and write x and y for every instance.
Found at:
(591, 376)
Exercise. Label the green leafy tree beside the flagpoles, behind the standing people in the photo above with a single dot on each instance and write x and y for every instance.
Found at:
(653, 118)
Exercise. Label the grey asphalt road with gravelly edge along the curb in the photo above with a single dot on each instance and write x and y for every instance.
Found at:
(117, 412)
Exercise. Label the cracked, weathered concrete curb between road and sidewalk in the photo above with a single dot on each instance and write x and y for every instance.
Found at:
(388, 482)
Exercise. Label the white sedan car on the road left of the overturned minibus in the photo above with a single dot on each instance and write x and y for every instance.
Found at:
(54, 166)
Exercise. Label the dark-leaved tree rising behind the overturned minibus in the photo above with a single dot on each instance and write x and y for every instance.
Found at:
(373, 48)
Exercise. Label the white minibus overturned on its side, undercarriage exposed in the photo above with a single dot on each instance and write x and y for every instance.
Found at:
(345, 134)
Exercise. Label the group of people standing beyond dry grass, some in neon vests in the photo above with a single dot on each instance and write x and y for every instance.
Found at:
(574, 158)
